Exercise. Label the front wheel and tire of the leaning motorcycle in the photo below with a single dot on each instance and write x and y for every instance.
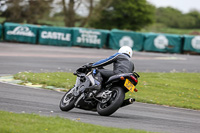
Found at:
(67, 101)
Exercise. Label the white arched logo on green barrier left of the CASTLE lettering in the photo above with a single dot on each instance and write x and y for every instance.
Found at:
(21, 30)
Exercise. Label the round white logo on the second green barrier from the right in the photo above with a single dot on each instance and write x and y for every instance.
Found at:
(161, 42)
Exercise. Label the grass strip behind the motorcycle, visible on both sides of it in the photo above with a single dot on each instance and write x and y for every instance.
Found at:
(172, 89)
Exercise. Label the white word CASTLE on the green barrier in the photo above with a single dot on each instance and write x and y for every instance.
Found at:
(56, 35)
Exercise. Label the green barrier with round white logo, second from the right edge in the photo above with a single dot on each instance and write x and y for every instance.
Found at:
(163, 43)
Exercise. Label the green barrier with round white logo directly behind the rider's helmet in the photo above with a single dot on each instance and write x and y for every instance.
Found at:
(119, 38)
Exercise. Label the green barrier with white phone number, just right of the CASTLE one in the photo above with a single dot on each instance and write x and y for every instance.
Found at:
(89, 37)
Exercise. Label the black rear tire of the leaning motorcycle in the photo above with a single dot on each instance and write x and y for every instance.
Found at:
(112, 105)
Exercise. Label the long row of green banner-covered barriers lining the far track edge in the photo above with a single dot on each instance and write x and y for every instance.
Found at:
(114, 39)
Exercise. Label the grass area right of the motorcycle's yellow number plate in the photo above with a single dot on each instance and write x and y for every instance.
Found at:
(172, 89)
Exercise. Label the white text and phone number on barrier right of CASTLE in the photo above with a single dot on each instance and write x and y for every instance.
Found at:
(88, 36)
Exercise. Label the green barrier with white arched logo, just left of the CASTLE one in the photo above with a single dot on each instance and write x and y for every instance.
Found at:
(20, 33)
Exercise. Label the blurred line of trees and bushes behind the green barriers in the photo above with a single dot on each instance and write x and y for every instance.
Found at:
(103, 14)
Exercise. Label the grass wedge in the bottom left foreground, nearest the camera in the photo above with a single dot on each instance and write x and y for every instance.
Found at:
(32, 123)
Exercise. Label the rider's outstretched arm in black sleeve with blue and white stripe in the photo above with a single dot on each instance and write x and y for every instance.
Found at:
(106, 61)
